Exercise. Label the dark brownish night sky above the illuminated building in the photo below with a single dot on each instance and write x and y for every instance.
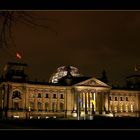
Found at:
(89, 40)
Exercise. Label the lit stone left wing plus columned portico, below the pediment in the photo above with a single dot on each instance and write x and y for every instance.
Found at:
(25, 100)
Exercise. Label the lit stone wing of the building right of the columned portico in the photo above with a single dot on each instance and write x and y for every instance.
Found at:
(124, 102)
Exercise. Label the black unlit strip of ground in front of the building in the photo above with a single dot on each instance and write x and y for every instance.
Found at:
(102, 123)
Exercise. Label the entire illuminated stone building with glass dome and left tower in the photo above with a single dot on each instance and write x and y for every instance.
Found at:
(67, 94)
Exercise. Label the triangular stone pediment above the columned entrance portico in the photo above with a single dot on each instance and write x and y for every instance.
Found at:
(93, 82)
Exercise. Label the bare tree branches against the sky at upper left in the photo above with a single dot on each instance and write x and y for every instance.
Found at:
(8, 19)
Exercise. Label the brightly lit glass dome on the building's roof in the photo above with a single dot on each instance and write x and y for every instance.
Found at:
(62, 71)
